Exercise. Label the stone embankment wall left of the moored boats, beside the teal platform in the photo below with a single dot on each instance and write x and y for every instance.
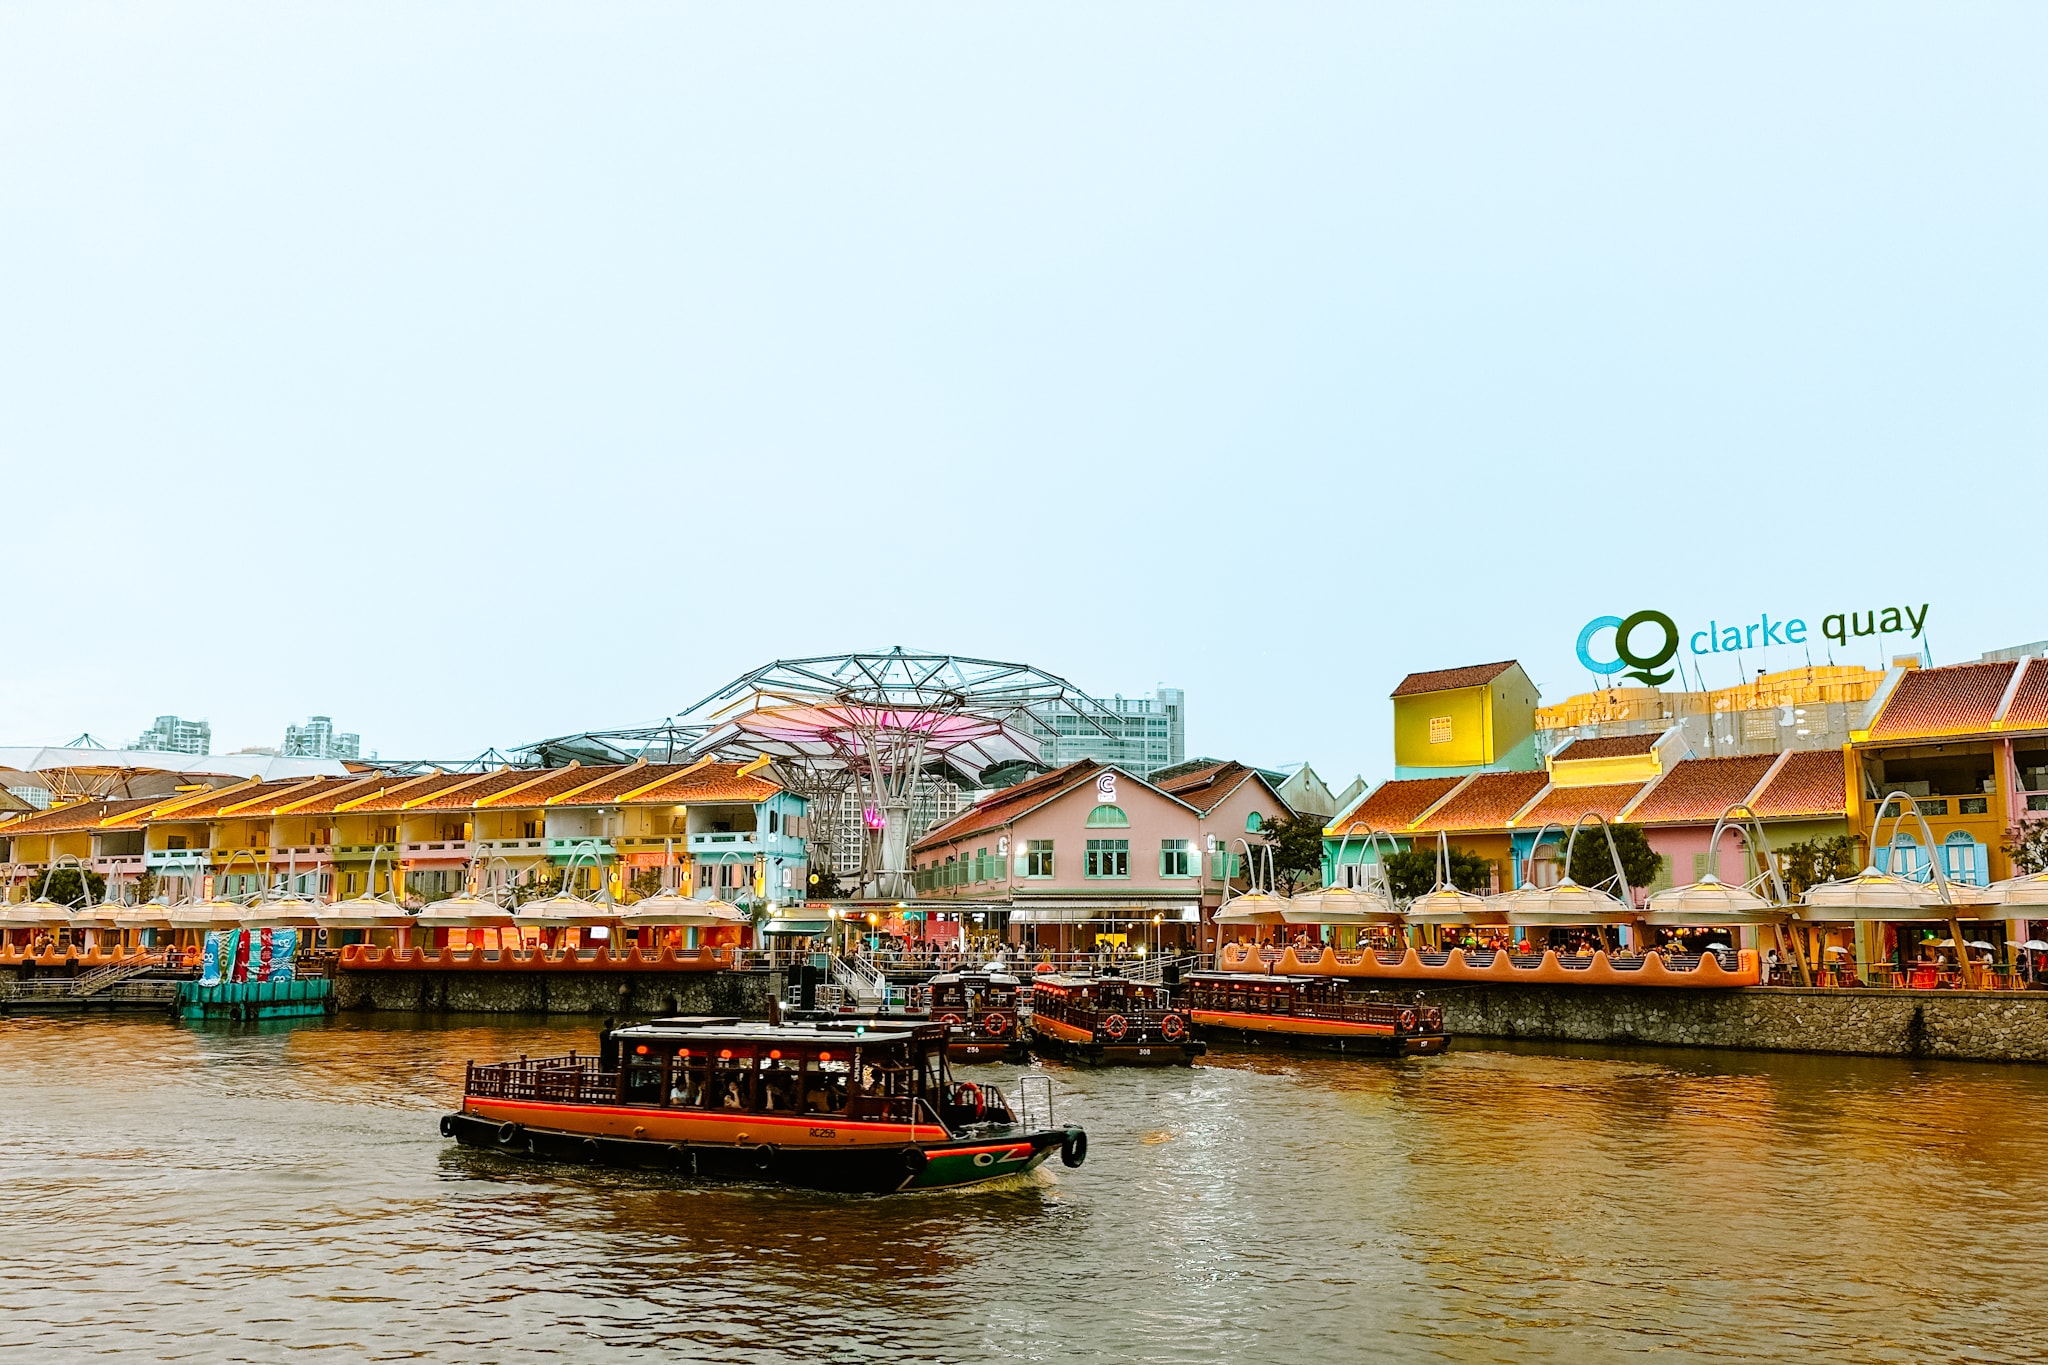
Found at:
(562, 994)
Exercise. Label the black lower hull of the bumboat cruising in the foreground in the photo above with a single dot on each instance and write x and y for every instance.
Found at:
(861, 1168)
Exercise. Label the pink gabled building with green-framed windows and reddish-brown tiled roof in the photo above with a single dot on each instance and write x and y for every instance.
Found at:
(1093, 854)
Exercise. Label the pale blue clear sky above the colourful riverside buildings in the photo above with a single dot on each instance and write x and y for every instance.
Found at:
(476, 373)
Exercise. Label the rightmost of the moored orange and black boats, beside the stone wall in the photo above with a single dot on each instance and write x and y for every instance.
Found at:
(1310, 1012)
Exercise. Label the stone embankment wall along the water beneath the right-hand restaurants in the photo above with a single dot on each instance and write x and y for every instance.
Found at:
(1986, 1026)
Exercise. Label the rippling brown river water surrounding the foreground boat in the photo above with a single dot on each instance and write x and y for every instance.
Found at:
(282, 1192)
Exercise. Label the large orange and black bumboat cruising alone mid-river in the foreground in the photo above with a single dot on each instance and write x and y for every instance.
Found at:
(828, 1106)
